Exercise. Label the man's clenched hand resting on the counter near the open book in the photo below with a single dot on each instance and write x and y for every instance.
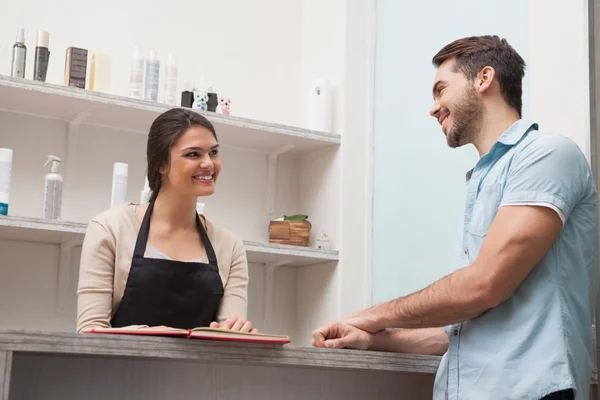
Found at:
(338, 335)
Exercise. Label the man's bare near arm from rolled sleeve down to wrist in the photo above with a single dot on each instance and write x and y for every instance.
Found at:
(516, 241)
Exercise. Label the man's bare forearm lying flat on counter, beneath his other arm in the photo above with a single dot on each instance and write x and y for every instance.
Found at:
(428, 341)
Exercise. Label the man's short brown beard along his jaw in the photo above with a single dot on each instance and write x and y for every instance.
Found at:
(467, 119)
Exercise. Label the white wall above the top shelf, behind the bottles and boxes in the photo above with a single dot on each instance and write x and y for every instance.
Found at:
(261, 53)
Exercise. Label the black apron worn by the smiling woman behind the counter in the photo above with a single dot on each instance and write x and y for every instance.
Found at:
(172, 293)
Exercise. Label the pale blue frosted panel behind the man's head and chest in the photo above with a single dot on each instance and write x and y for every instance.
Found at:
(418, 181)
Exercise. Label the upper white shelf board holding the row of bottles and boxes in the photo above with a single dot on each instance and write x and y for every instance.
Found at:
(67, 103)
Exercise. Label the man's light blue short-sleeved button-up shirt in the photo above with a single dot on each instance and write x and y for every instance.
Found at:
(539, 341)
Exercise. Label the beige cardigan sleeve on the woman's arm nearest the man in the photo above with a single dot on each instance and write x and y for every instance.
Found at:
(235, 297)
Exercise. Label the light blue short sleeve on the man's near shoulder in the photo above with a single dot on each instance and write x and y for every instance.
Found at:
(548, 169)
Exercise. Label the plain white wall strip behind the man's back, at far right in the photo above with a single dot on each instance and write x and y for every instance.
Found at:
(559, 68)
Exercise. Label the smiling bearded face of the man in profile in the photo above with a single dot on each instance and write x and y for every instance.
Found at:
(456, 105)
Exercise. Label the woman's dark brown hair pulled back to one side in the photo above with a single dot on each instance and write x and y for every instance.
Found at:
(163, 133)
